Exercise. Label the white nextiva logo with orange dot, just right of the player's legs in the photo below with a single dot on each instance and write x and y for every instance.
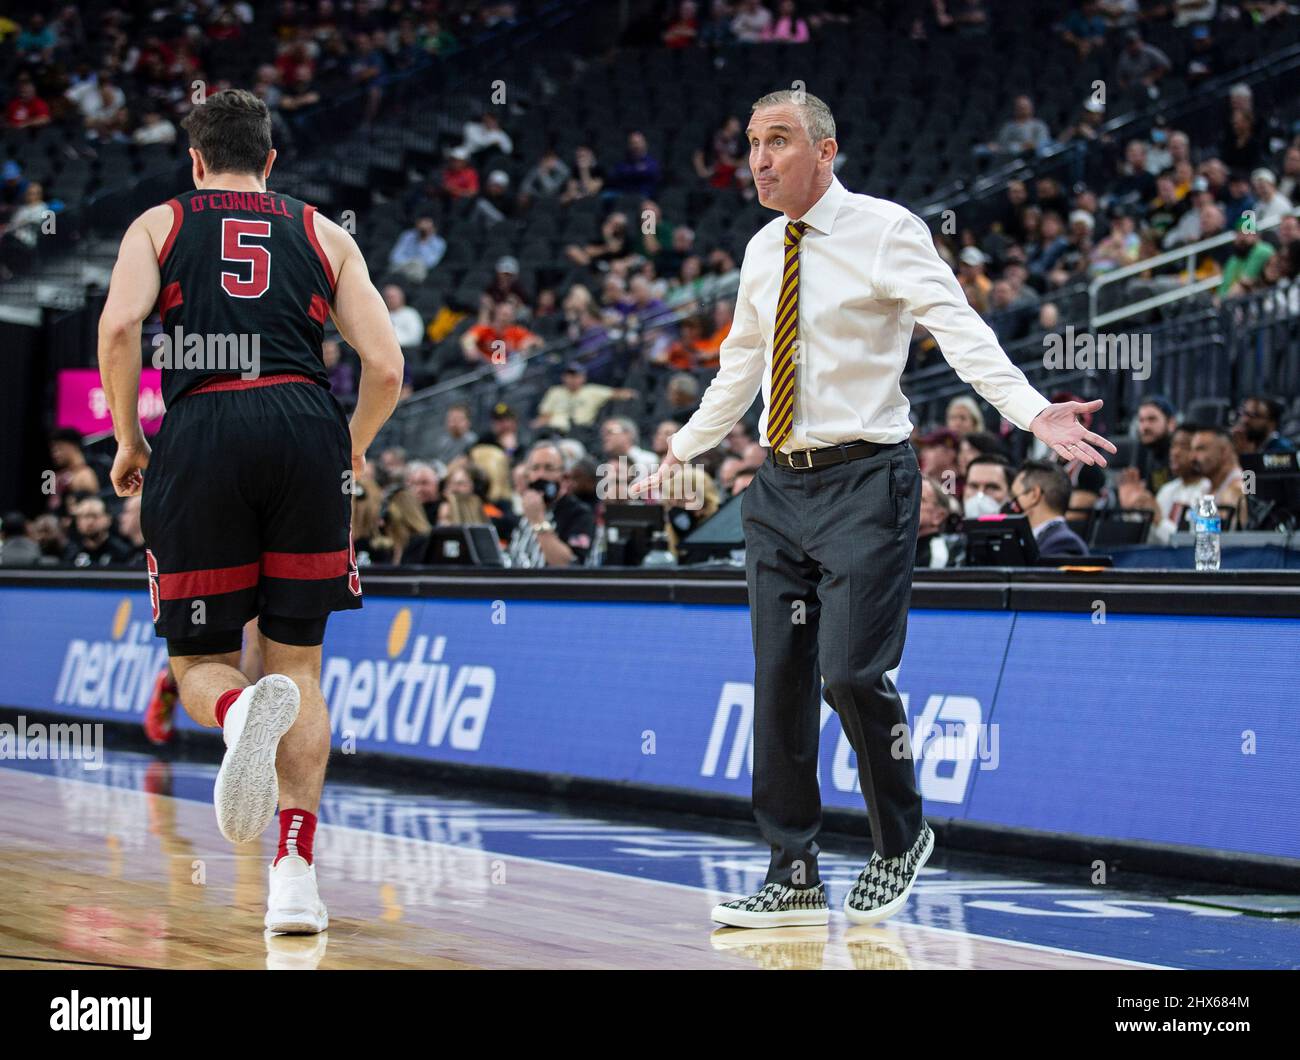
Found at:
(413, 700)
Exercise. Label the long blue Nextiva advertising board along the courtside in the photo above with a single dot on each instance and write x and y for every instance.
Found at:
(1168, 729)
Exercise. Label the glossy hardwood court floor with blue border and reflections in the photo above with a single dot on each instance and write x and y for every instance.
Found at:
(124, 867)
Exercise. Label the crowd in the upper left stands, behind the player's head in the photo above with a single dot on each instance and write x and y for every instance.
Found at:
(127, 75)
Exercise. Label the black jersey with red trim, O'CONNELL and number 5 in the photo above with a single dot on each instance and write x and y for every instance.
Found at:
(246, 291)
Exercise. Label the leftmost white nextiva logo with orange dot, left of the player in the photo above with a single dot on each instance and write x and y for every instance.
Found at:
(116, 673)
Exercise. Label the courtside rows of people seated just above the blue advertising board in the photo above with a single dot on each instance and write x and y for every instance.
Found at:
(547, 494)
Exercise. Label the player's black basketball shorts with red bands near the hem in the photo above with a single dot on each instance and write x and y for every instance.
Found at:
(246, 508)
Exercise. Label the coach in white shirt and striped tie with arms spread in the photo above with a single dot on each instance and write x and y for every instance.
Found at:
(829, 297)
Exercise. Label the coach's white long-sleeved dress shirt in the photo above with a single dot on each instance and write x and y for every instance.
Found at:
(869, 271)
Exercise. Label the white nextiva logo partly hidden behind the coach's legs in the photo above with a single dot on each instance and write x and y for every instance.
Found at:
(948, 738)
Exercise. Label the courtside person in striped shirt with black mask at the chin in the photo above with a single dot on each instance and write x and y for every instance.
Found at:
(557, 529)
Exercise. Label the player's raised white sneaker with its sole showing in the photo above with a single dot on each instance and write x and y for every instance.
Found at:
(248, 789)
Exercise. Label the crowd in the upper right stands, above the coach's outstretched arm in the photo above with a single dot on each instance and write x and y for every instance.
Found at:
(1160, 192)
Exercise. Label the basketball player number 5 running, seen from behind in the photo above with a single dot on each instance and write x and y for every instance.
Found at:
(246, 504)
